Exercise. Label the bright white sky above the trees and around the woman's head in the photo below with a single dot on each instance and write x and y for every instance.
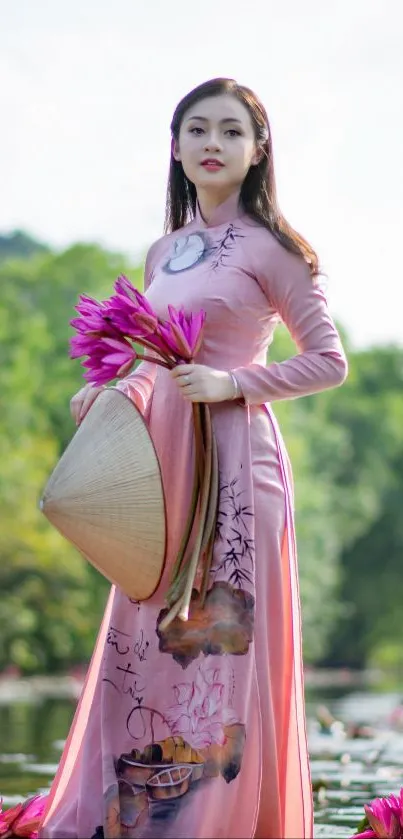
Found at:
(88, 87)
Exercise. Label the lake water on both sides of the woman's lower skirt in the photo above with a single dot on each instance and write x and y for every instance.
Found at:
(359, 757)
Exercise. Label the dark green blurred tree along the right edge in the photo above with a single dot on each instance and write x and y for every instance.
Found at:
(370, 406)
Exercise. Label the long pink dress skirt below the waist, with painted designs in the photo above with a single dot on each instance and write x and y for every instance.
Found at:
(198, 731)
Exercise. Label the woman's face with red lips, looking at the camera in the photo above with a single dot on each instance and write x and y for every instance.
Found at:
(216, 144)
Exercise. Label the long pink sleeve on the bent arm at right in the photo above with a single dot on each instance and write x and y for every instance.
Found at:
(321, 363)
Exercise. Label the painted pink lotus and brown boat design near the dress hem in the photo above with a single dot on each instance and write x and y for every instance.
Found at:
(207, 740)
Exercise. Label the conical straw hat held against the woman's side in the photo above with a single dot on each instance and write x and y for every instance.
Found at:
(106, 496)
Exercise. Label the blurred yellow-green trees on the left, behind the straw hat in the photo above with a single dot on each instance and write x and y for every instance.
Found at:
(54, 600)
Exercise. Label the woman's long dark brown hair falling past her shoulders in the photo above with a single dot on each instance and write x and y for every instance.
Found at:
(258, 192)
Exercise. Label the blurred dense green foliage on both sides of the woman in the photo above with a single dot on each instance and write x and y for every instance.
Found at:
(346, 448)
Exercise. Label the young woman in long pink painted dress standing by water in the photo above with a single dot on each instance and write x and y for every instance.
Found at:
(211, 712)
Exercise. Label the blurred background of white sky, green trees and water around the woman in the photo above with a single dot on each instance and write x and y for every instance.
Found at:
(87, 91)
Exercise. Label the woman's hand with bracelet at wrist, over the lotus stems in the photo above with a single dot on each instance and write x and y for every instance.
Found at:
(199, 383)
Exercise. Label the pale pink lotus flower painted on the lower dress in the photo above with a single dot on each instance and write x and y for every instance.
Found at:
(202, 709)
